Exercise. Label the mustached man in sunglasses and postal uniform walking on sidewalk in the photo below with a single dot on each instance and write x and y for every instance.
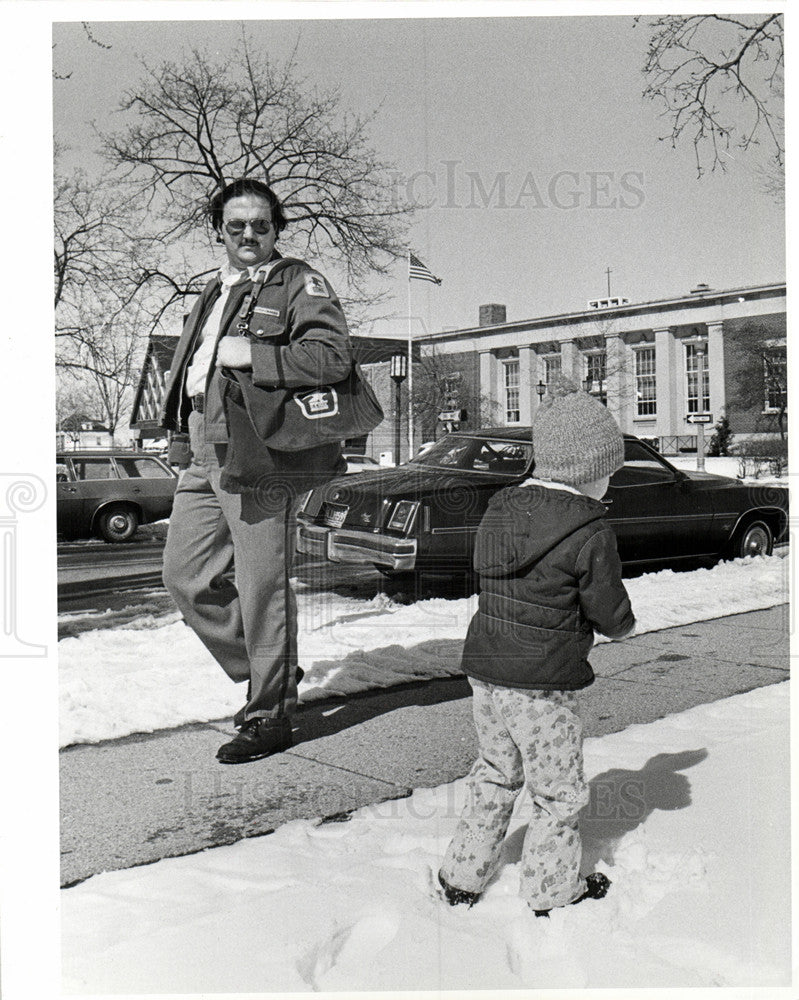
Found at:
(229, 548)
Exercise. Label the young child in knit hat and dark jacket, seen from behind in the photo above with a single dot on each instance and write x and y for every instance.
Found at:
(550, 576)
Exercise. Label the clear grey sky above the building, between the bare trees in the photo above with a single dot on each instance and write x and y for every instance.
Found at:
(549, 107)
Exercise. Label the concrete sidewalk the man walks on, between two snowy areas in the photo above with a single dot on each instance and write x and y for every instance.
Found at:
(137, 799)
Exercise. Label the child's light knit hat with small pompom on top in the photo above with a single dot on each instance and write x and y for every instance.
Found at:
(575, 439)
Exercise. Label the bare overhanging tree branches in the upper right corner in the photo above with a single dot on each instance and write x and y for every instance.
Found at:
(719, 80)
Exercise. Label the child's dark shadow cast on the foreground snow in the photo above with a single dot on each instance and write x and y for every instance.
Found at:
(621, 800)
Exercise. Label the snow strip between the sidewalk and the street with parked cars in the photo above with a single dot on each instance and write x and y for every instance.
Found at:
(155, 675)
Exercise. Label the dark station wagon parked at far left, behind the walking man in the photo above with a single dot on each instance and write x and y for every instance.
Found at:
(111, 493)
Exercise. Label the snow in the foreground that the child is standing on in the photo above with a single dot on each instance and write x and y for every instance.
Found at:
(700, 894)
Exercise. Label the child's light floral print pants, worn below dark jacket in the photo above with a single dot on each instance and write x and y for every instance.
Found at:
(527, 738)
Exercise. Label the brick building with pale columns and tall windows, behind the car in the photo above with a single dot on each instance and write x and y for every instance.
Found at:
(653, 363)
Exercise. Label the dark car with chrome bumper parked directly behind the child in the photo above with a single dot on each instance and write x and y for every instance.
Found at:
(423, 516)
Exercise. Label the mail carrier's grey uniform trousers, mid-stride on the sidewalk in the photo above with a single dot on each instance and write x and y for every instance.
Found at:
(227, 563)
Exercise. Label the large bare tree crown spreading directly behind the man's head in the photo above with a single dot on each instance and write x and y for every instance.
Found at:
(199, 123)
